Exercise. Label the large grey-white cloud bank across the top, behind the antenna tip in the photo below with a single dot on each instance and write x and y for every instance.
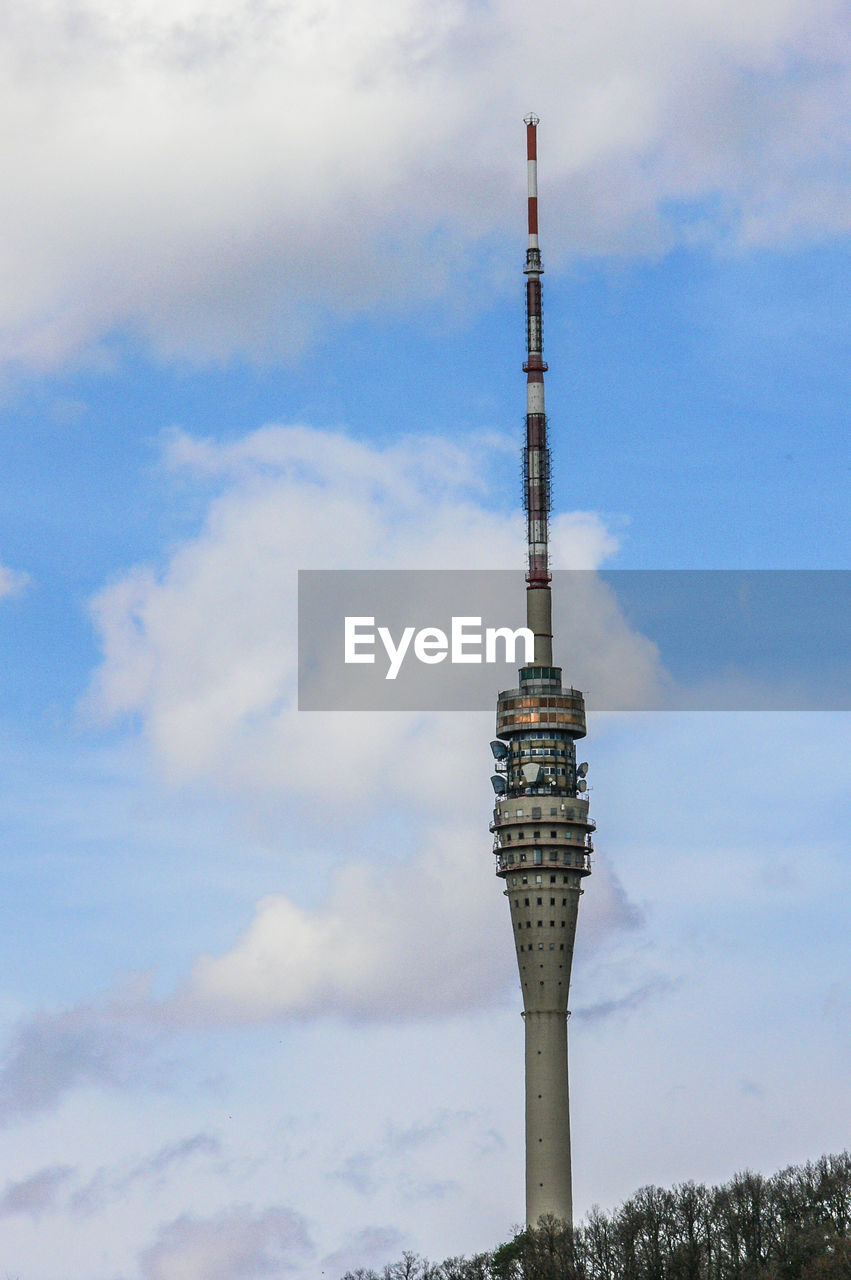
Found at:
(221, 176)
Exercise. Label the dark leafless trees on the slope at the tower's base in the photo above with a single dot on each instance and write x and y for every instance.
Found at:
(790, 1227)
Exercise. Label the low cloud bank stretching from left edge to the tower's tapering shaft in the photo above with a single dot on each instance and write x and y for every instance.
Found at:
(386, 945)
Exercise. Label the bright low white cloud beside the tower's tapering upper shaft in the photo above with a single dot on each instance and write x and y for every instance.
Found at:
(422, 940)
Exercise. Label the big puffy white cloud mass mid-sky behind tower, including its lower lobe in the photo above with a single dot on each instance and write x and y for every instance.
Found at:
(204, 653)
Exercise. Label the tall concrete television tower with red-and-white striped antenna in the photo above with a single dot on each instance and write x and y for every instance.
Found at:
(542, 829)
